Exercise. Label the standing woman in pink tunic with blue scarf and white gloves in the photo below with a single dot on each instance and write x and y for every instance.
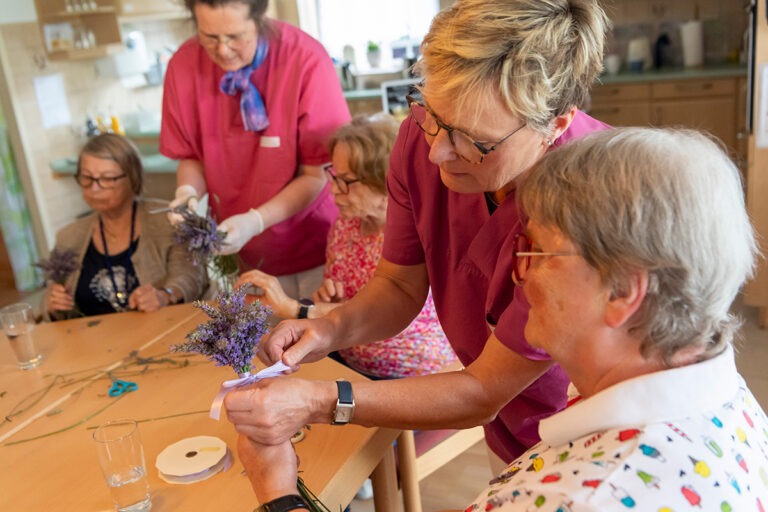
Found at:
(248, 106)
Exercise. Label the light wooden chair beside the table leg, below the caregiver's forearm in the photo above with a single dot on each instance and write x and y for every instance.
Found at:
(421, 453)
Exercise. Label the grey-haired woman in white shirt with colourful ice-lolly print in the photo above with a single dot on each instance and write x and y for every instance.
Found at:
(630, 273)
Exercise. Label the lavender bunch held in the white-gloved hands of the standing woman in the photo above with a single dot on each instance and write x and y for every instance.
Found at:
(198, 232)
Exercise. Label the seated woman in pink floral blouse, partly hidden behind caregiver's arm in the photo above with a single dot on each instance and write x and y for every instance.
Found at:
(360, 154)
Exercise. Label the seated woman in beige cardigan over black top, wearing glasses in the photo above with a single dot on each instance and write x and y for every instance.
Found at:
(126, 256)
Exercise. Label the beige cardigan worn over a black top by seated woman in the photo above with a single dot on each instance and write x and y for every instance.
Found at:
(157, 260)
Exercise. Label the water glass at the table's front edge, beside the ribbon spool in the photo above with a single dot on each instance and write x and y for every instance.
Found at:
(121, 457)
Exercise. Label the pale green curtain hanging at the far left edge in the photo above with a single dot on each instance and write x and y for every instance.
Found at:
(15, 221)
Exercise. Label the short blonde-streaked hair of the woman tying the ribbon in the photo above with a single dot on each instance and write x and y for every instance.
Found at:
(542, 56)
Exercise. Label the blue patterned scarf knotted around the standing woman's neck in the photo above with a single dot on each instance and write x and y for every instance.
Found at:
(251, 105)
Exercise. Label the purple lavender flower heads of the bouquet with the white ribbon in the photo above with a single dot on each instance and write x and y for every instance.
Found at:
(231, 336)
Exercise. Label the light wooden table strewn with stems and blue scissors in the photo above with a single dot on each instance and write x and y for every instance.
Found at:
(59, 471)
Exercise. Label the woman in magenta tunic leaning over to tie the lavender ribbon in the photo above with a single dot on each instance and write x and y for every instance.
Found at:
(502, 82)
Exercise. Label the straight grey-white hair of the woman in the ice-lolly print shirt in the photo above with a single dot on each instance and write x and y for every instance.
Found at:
(666, 201)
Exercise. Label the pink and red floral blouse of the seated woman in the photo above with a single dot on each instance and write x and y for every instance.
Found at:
(422, 348)
